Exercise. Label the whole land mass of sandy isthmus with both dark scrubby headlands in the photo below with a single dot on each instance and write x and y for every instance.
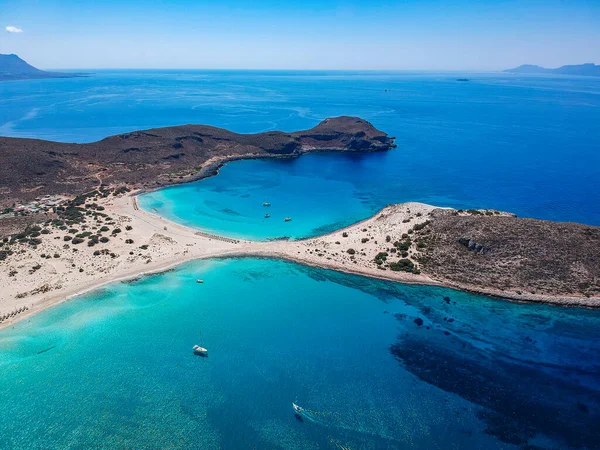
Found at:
(71, 223)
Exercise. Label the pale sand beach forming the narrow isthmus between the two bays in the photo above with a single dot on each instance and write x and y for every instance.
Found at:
(76, 270)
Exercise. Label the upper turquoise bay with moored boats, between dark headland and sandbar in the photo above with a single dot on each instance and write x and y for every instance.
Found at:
(231, 203)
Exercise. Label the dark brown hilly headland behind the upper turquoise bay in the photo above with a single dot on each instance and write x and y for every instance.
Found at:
(150, 159)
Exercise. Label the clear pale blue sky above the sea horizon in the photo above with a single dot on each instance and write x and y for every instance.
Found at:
(308, 34)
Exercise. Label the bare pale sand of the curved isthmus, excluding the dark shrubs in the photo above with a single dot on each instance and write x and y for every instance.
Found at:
(172, 244)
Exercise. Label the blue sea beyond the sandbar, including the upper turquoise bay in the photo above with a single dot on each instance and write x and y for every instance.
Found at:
(525, 144)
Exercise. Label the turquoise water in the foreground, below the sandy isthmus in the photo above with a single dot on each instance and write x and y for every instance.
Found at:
(115, 368)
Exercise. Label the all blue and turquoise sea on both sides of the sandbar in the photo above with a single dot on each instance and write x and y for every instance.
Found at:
(114, 369)
